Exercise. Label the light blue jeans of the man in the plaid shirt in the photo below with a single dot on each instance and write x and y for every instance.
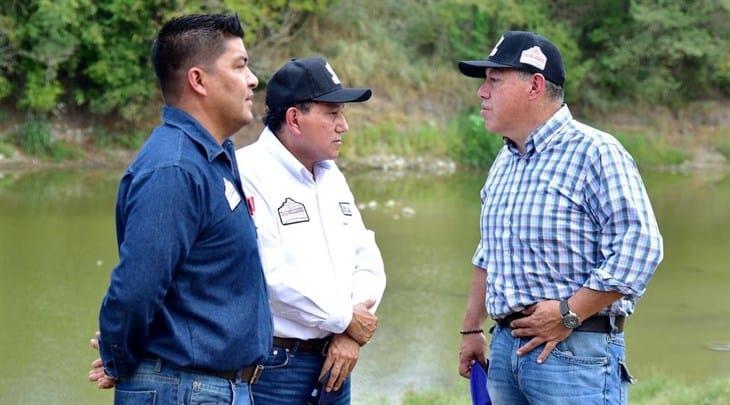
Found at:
(585, 368)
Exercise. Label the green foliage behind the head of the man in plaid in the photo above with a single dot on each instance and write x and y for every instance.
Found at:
(654, 51)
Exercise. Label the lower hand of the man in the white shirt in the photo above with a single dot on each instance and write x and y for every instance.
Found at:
(341, 358)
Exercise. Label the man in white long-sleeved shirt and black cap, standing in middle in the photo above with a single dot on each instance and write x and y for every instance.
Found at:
(323, 270)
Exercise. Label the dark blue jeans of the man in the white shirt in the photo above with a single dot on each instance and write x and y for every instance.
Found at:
(289, 377)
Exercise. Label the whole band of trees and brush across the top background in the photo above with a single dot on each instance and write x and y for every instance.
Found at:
(94, 55)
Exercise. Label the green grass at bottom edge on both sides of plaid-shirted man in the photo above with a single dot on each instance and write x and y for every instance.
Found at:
(657, 390)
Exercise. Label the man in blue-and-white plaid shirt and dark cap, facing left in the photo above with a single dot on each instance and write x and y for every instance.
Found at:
(568, 243)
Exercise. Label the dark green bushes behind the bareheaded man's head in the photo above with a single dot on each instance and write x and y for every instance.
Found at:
(95, 54)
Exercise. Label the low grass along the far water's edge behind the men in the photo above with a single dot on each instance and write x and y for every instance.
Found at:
(462, 139)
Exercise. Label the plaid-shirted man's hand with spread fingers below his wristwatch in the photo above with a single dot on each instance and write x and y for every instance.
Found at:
(544, 325)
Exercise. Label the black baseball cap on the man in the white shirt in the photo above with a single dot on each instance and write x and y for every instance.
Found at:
(309, 79)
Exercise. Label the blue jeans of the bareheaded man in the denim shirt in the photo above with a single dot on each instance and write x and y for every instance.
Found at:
(156, 382)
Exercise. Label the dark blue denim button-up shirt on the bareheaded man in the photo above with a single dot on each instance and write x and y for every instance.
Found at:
(189, 287)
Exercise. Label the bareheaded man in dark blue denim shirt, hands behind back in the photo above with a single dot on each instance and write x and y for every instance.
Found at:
(186, 316)
